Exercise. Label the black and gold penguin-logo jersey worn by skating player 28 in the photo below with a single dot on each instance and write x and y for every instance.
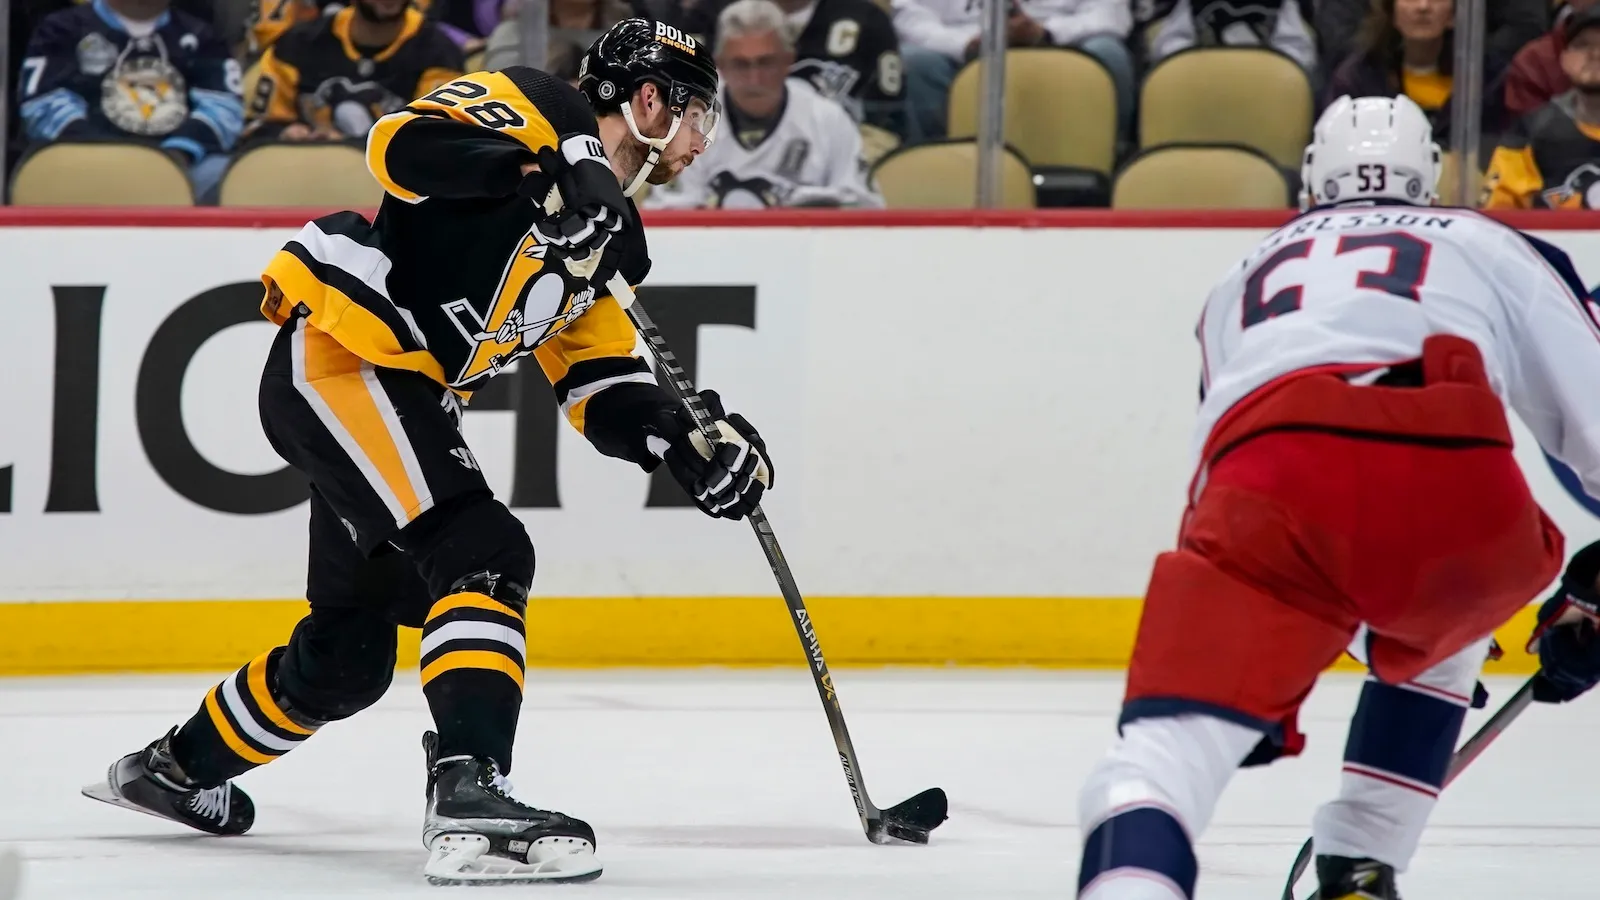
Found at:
(452, 279)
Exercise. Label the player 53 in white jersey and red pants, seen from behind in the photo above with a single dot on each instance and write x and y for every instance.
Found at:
(1353, 476)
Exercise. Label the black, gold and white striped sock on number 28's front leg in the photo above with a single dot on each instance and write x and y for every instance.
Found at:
(473, 667)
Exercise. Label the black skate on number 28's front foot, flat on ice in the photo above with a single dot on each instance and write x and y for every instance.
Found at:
(476, 832)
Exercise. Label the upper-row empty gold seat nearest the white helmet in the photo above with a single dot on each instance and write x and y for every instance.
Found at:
(1228, 95)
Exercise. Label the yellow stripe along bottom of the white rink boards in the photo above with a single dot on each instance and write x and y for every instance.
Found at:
(1081, 633)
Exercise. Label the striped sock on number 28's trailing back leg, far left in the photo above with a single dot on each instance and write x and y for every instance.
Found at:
(241, 725)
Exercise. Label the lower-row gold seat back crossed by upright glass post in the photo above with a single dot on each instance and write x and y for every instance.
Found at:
(943, 175)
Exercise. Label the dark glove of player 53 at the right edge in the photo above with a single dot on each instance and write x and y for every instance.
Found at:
(1569, 649)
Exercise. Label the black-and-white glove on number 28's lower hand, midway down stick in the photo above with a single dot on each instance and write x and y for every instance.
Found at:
(727, 483)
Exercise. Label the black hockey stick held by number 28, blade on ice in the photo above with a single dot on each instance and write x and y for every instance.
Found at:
(910, 821)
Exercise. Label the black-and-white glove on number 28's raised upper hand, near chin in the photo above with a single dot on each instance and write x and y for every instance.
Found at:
(593, 207)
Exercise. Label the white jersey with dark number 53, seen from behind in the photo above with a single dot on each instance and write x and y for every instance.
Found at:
(1361, 287)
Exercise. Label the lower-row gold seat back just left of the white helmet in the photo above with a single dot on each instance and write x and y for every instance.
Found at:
(1201, 179)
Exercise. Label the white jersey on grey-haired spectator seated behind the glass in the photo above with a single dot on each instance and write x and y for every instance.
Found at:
(809, 156)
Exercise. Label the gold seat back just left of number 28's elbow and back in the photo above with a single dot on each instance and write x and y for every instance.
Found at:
(302, 175)
